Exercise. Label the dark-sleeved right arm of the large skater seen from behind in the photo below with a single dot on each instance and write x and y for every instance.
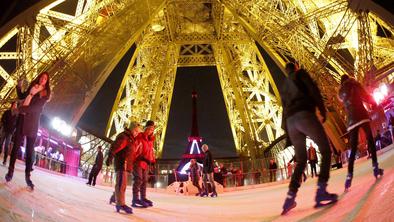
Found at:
(313, 91)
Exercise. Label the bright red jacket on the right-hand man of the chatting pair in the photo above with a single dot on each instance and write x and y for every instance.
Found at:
(145, 155)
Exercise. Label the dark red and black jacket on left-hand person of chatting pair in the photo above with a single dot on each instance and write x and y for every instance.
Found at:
(122, 149)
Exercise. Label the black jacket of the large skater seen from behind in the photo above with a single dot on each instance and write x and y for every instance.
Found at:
(300, 93)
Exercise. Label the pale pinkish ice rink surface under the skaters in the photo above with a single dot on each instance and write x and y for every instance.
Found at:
(62, 198)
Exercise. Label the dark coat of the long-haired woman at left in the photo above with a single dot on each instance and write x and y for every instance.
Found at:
(31, 113)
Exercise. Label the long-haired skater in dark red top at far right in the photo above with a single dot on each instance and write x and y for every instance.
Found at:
(352, 95)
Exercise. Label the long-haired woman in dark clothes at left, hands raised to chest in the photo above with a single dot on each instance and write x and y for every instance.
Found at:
(34, 99)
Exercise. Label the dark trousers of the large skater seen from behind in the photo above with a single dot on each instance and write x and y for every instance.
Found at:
(300, 125)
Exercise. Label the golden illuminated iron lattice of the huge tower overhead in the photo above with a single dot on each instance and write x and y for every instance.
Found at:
(81, 41)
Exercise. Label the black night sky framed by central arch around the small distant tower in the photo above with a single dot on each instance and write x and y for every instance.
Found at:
(212, 116)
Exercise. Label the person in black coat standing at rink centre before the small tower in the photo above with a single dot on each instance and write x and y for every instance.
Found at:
(208, 172)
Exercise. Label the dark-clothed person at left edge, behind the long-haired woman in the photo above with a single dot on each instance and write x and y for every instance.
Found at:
(8, 121)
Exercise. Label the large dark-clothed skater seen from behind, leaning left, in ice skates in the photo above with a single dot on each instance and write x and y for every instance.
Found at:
(300, 97)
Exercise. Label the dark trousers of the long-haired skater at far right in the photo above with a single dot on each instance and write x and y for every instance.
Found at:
(354, 142)
